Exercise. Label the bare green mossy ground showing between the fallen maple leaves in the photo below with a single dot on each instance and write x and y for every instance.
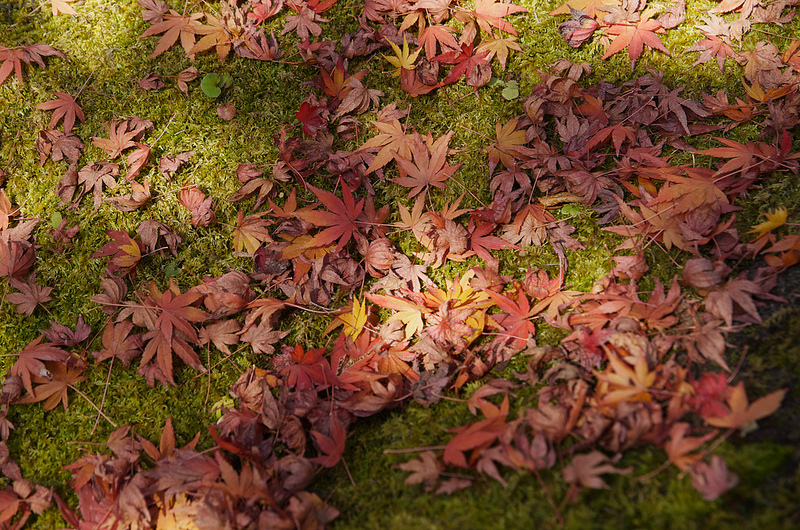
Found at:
(106, 59)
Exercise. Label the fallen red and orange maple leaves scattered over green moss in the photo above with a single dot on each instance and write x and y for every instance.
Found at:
(634, 367)
